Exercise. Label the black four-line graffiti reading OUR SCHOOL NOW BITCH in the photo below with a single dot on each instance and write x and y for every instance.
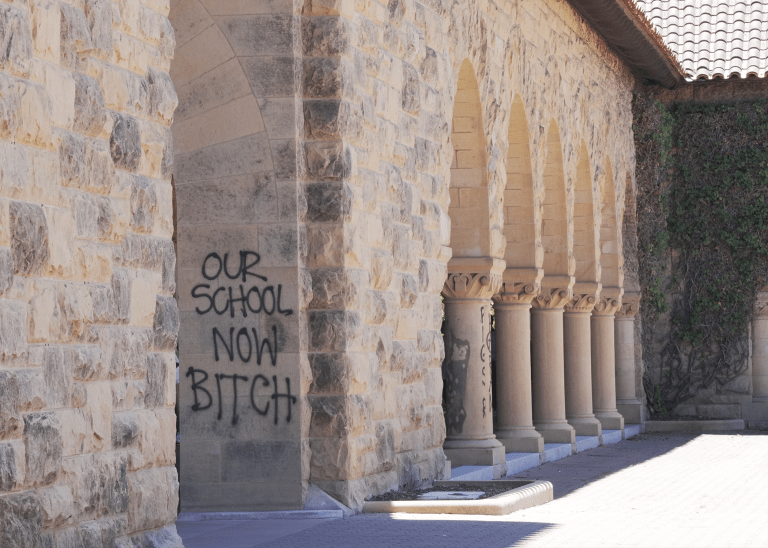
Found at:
(241, 292)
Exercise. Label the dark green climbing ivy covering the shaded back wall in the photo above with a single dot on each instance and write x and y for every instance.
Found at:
(703, 241)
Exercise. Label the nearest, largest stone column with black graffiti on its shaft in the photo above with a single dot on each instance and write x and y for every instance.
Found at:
(467, 369)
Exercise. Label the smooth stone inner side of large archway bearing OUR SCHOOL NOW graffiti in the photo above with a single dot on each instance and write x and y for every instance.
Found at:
(238, 282)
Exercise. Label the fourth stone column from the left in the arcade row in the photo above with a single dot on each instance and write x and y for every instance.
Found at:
(578, 360)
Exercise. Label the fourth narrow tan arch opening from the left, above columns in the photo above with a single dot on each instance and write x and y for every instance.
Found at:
(586, 236)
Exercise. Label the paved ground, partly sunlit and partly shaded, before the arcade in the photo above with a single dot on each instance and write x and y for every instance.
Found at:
(655, 490)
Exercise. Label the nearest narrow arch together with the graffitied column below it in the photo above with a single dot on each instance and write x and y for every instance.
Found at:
(473, 278)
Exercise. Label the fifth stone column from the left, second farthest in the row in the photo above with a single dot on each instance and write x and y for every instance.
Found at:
(604, 360)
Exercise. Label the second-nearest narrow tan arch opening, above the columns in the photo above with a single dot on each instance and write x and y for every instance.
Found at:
(522, 208)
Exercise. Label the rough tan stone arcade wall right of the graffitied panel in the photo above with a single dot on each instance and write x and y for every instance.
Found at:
(380, 83)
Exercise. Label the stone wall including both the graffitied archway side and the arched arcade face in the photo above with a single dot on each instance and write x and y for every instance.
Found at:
(321, 135)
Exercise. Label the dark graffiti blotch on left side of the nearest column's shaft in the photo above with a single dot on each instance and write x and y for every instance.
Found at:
(457, 352)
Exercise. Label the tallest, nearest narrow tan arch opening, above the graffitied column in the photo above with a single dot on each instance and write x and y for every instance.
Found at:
(469, 211)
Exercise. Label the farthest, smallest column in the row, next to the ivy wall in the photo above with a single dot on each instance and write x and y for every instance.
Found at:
(627, 403)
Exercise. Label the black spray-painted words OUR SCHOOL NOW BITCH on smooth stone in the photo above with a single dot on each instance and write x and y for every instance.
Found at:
(244, 343)
